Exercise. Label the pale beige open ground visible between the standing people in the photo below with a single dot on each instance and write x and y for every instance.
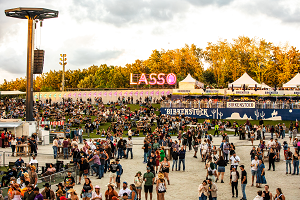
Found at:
(184, 185)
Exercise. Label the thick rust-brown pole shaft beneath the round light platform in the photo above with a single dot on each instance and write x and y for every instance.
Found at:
(30, 59)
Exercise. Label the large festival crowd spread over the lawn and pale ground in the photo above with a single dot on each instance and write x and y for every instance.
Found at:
(102, 157)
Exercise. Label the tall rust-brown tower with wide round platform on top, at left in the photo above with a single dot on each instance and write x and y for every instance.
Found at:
(31, 14)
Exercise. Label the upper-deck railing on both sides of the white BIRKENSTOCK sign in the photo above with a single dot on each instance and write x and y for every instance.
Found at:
(223, 104)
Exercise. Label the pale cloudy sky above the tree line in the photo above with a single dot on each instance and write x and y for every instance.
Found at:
(117, 32)
